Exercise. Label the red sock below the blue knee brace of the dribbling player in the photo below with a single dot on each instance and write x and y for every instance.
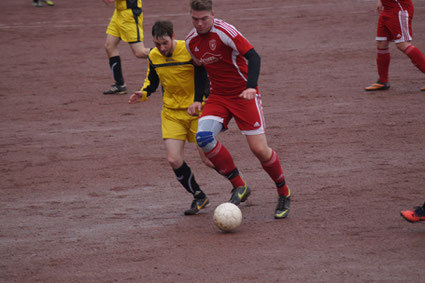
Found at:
(223, 162)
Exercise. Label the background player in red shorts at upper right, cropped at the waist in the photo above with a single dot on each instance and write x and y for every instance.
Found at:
(394, 24)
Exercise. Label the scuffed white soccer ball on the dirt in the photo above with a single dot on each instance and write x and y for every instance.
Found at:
(227, 216)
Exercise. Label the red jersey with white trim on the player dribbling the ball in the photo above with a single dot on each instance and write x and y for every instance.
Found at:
(221, 52)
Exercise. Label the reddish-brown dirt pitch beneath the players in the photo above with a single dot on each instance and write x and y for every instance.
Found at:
(87, 195)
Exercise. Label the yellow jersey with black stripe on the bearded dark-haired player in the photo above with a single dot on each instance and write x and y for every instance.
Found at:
(176, 75)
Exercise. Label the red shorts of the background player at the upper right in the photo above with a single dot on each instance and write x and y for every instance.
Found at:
(395, 26)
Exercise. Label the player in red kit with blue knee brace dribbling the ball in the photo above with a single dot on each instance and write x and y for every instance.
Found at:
(233, 67)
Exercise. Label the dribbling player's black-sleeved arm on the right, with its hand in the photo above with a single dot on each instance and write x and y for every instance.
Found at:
(254, 64)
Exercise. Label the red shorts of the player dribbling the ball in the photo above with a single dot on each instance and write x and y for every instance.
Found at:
(248, 114)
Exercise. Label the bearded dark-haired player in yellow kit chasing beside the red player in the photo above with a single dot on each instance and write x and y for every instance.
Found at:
(171, 65)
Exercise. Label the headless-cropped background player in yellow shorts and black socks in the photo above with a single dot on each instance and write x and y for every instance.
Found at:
(126, 24)
